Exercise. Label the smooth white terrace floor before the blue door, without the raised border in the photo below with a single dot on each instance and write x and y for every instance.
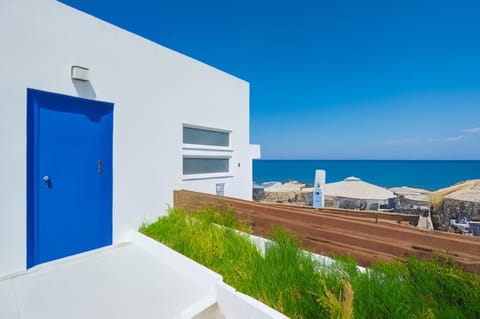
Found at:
(122, 281)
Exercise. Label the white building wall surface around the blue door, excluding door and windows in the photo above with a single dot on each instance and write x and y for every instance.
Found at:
(154, 90)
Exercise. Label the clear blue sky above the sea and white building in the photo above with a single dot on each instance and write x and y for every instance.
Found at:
(333, 79)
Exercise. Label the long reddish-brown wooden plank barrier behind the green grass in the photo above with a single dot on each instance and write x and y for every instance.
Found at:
(365, 236)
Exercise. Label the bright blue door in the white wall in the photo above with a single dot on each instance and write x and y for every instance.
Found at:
(69, 142)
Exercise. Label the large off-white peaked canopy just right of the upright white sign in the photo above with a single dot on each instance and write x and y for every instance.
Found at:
(353, 187)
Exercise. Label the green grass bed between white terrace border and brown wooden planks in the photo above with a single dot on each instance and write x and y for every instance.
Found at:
(288, 280)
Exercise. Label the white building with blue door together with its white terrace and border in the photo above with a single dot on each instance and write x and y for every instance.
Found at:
(98, 126)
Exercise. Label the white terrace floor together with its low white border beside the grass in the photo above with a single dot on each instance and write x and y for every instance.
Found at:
(138, 279)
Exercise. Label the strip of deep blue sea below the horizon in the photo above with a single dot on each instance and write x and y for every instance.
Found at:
(427, 174)
